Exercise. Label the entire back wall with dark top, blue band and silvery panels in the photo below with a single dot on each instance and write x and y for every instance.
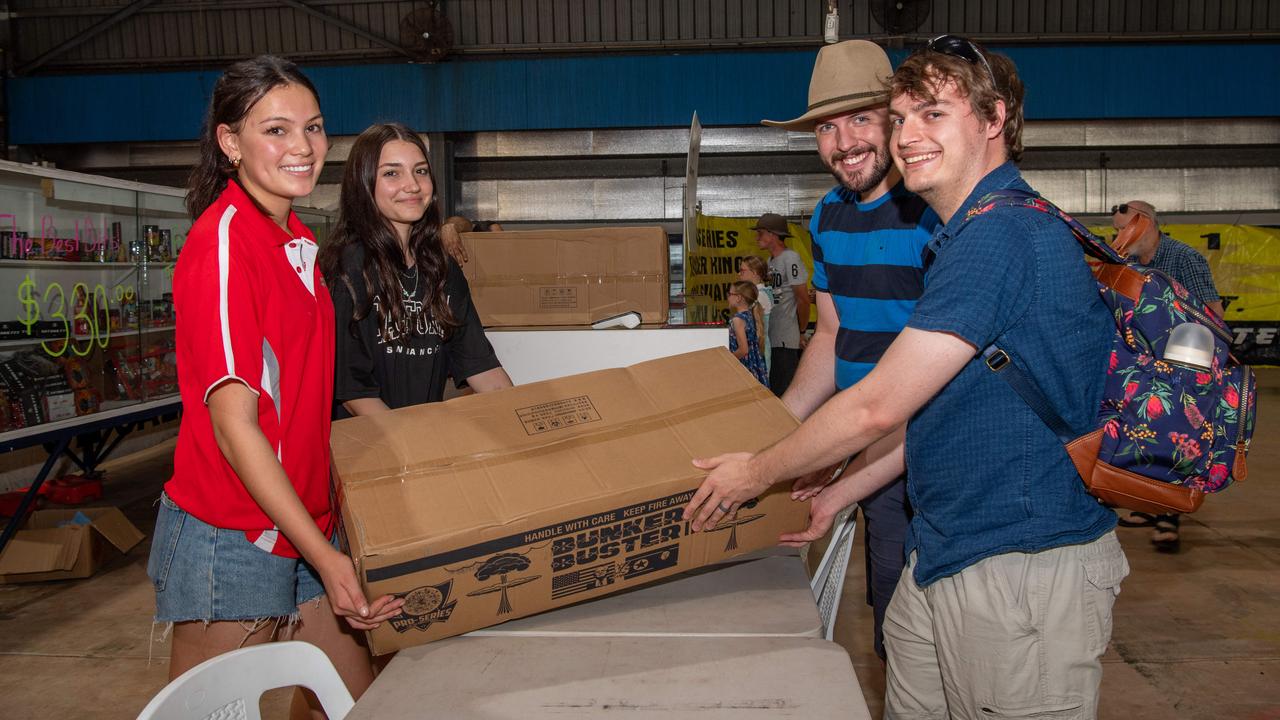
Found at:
(607, 176)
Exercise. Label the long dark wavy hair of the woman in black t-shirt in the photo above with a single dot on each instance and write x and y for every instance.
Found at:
(362, 224)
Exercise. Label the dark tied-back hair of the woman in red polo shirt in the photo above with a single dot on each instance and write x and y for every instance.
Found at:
(236, 93)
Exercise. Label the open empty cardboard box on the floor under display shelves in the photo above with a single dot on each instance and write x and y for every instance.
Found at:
(54, 545)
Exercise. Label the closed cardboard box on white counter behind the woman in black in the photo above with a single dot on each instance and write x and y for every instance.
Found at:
(569, 277)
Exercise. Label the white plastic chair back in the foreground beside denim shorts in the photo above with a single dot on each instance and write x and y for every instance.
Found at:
(230, 687)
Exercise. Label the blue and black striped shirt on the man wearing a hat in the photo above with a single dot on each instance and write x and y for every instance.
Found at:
(867, 257)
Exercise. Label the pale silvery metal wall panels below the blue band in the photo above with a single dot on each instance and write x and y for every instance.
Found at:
(1086, 167)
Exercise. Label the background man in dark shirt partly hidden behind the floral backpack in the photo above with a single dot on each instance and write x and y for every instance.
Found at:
(1182, 263)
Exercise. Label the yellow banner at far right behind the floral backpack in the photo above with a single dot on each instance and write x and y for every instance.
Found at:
(1246, 266)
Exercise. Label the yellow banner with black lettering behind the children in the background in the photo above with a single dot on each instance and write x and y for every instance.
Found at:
(714, 258)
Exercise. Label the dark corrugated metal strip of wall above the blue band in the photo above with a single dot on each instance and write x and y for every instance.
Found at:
(76, 35)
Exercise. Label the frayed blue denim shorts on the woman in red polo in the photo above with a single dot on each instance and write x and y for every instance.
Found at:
(212, 575)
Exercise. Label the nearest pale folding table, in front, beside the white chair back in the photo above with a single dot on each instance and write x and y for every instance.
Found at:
(674, 678)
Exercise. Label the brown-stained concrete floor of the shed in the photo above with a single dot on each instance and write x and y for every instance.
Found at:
(1197, 635)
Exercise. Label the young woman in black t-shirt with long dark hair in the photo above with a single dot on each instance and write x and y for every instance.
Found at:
(403, 306)
